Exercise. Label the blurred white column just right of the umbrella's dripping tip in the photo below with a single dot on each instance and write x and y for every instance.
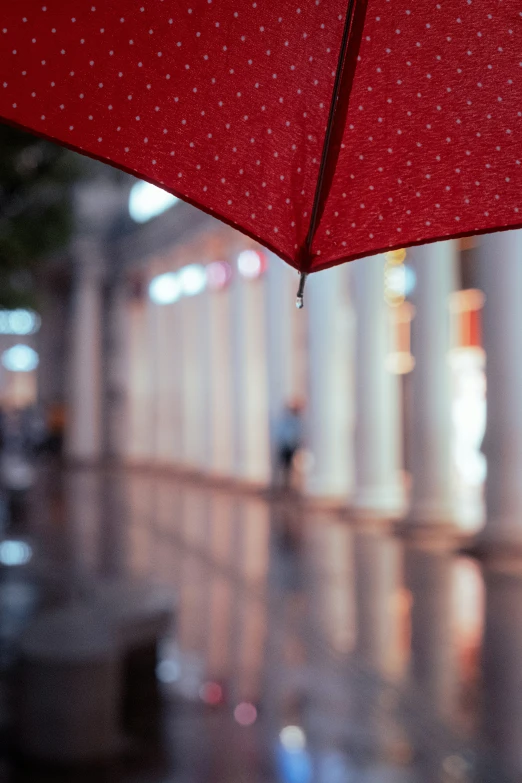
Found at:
(330, 402)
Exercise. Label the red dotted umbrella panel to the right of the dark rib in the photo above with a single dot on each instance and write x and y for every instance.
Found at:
(432, 142)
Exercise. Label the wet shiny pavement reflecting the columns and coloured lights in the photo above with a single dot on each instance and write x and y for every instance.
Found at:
(306, 650)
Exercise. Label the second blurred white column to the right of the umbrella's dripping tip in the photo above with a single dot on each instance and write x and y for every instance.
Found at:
(378, 461)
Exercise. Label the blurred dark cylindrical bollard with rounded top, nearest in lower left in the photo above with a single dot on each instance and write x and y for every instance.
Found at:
(70, 688)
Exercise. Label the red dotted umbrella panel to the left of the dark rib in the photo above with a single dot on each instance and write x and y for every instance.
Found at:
(201, 84)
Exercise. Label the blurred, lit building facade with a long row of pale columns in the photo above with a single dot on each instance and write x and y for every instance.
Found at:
(184, 345)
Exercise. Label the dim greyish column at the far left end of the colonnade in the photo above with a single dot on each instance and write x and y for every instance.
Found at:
(84, 432)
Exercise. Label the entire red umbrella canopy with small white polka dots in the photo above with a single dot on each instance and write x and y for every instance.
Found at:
(325, 129)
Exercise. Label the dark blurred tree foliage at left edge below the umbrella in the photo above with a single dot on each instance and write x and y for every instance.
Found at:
(36, 217)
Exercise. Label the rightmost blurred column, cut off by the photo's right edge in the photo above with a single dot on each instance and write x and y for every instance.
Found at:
(500, 270)
